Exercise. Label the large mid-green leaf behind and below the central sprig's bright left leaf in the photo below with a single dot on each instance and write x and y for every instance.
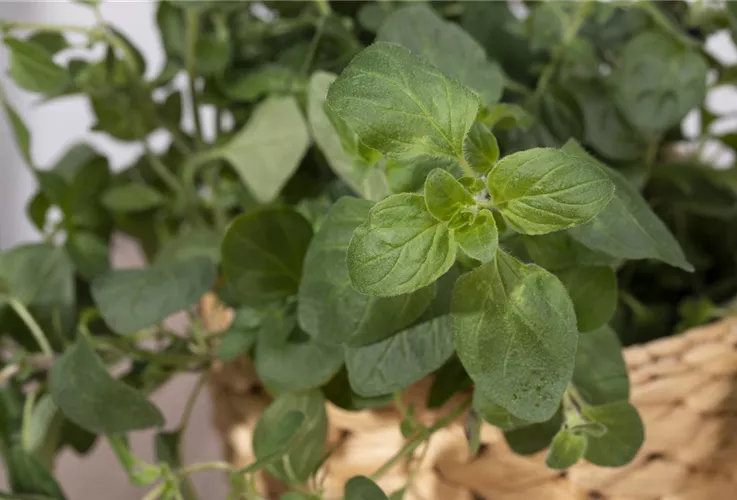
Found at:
(330, 310)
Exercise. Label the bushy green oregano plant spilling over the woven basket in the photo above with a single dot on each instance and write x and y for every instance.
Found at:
(381, 192)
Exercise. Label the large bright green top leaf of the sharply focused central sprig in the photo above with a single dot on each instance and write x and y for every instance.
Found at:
(401, 105)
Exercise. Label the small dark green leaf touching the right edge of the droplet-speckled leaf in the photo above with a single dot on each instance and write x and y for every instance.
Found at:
(594, 293)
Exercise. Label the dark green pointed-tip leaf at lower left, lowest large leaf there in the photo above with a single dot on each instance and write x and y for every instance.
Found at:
(85, 392)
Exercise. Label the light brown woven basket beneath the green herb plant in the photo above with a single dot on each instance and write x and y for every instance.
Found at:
(683, 386)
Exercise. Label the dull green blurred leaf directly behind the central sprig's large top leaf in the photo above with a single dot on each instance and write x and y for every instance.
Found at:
(445, 45)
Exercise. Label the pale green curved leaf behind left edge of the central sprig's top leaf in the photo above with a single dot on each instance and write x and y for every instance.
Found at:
(343, 156)
